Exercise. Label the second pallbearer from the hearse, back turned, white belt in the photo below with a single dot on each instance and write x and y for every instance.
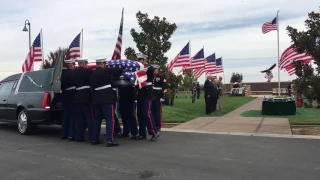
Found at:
(82, 100)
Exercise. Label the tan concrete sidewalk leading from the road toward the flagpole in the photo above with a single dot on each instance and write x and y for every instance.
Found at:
(233, 122)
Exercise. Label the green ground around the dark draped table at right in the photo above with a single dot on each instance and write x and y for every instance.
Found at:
(304, 116)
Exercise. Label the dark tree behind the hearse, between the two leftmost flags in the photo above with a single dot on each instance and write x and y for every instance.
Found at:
(52, 57)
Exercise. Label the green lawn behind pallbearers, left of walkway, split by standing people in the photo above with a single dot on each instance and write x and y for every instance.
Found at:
(183, 109)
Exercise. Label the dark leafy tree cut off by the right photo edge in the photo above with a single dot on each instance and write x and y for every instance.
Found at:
(308, 79)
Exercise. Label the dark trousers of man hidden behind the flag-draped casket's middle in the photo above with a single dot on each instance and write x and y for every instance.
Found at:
(128, 117)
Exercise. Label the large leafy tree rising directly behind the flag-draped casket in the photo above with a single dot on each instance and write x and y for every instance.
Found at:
(153, 39)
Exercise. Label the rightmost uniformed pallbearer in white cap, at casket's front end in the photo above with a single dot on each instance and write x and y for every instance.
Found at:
(159, 88)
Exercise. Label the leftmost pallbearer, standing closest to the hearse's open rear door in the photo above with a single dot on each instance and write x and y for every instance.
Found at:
(68, 91)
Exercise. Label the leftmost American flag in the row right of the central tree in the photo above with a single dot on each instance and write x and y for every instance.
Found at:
(182, 59)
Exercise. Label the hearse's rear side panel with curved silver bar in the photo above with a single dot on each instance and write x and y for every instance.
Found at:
(36, 81)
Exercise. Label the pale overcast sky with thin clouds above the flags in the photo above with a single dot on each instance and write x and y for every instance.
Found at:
(230, 28)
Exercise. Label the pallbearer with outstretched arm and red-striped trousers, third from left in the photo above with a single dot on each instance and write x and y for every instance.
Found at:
(104, 101)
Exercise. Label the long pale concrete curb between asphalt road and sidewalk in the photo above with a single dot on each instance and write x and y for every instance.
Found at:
(242, 134)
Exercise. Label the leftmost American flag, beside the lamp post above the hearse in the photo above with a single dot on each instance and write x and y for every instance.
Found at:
(34, 55)
